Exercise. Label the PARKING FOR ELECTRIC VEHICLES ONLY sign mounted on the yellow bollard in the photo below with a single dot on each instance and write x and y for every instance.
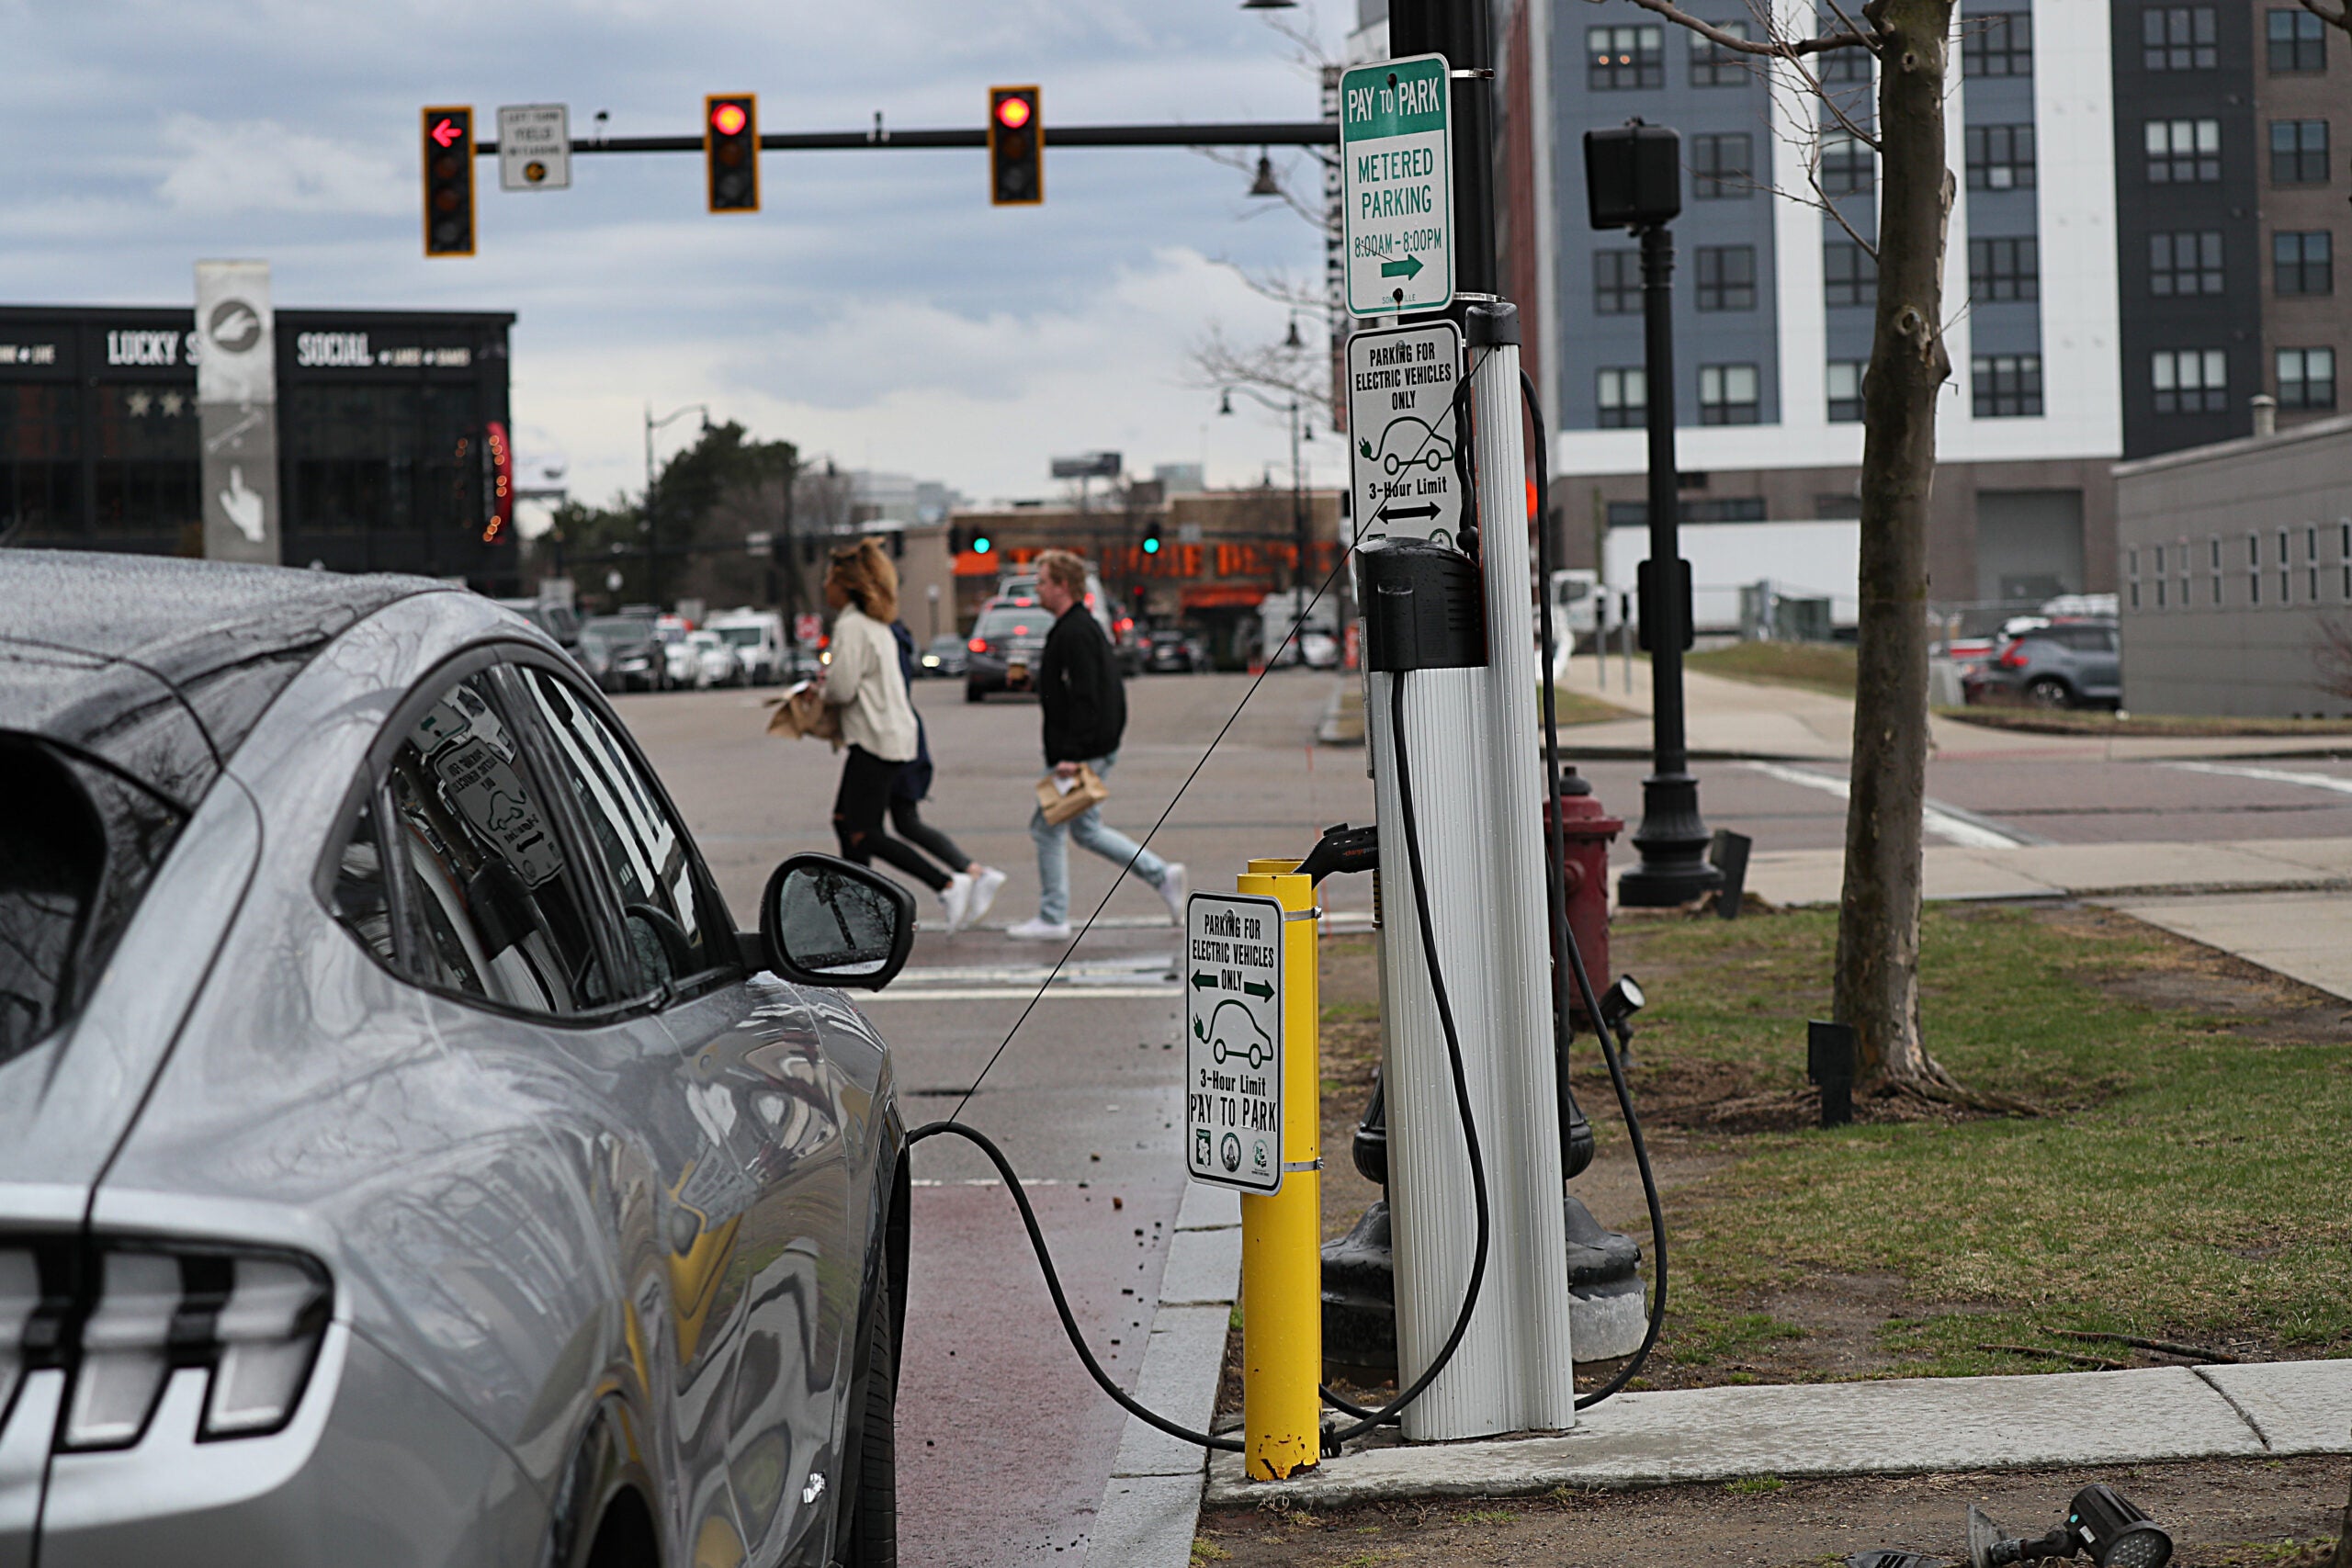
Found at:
(1234, 1040)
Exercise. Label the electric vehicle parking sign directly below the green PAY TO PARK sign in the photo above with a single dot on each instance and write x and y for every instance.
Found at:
(1401, 434)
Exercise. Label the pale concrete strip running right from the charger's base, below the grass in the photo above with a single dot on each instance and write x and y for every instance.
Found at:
(1911, 1426)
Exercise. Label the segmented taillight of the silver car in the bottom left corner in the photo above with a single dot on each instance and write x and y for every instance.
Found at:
(123, 1320)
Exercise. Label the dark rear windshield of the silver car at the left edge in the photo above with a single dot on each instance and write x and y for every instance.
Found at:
(79, 847)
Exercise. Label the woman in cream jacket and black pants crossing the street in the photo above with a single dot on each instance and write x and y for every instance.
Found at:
(878, 721)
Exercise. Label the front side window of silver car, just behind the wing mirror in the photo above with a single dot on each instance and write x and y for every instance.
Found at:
(646, 850)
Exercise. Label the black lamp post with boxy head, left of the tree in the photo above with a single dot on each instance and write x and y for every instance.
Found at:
(1633, 180)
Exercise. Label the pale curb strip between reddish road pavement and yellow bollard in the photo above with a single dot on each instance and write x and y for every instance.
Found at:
(1151, 1501)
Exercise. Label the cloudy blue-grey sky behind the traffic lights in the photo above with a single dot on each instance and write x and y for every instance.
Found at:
(876, 309)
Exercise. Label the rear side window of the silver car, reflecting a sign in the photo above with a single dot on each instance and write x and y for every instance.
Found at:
(488, 902)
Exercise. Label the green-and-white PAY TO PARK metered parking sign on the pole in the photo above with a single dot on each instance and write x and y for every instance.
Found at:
(1396, 161)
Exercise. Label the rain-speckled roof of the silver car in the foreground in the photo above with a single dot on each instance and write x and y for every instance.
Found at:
(161, 666)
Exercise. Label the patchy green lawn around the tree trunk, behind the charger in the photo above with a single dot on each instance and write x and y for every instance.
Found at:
(2189, 1179)
